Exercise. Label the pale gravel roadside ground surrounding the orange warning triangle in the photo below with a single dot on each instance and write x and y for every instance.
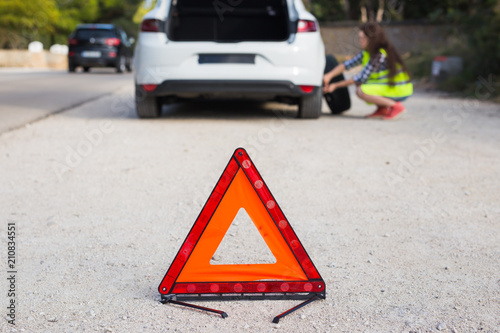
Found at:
(401, 218)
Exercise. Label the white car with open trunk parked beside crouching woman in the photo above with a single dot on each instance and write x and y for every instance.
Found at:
(257, 49)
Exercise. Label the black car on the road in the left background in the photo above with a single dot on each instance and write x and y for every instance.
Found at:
(99, 45)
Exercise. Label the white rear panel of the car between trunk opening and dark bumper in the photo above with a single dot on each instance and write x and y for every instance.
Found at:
(158, 59)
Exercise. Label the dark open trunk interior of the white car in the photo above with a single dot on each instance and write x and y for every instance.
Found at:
(228, 20)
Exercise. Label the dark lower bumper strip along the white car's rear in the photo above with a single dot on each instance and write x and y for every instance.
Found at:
(227, 89)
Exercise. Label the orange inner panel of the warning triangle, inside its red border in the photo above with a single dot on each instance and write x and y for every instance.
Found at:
(240, 194)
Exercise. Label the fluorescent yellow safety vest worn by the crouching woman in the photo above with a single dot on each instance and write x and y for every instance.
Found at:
(378, 82)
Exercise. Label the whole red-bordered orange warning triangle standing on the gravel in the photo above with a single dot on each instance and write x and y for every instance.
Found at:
(191, 275)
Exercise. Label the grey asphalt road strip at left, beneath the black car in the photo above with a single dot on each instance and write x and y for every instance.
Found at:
(27, 95)
